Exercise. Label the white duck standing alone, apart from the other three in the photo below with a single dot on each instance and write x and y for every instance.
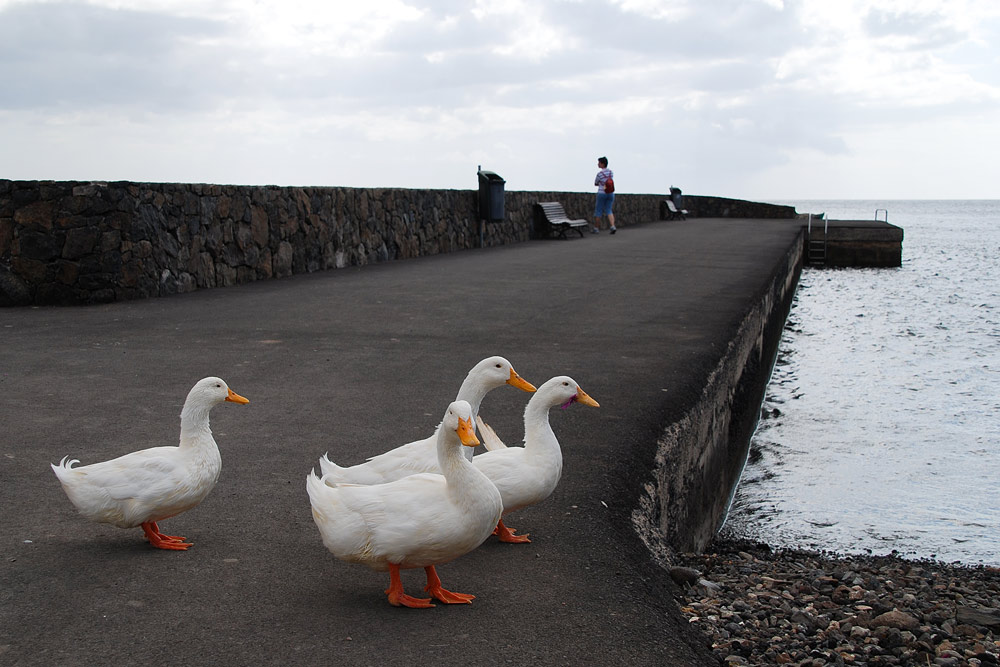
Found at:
(150, 485)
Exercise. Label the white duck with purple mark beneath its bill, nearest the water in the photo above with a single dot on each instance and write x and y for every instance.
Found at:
(527, 475)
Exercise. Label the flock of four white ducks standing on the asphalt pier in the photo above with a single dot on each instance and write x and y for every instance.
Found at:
(421, 504)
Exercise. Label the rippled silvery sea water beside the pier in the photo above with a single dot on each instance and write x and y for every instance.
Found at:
(880, 429)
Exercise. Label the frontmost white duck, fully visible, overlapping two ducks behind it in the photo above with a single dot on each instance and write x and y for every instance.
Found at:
(420, 521)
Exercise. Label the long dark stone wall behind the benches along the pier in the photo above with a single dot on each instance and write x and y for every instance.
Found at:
(74, 242)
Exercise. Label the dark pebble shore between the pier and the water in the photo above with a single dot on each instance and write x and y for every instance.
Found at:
(758, 607)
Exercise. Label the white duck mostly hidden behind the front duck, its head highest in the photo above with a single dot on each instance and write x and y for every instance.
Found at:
(421, 455)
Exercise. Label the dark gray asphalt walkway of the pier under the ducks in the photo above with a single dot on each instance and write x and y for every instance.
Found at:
(354, 362)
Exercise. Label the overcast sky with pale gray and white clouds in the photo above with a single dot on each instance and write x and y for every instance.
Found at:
(755, 99)
